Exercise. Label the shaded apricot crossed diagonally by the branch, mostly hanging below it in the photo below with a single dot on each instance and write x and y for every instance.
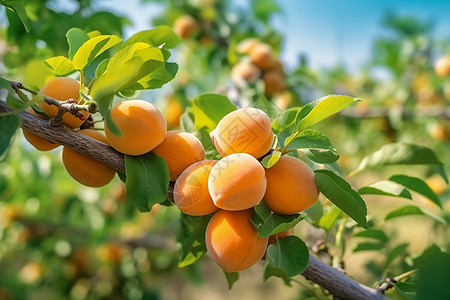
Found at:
(84, 169)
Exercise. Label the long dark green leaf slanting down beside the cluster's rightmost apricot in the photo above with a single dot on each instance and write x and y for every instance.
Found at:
(339, 191)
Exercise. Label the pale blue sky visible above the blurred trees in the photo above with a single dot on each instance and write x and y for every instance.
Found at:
(327, 31)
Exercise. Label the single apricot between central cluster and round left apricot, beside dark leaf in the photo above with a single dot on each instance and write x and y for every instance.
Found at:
(180, 150)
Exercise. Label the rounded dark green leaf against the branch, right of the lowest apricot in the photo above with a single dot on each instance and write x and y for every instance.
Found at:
(286, 258)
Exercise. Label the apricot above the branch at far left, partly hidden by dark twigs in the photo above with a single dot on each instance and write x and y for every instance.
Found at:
(63, 88)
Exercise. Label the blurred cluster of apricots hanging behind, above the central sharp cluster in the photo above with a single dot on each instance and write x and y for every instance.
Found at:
(259, 62)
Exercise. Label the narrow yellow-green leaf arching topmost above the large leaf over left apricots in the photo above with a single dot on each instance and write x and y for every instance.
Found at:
(161, 35)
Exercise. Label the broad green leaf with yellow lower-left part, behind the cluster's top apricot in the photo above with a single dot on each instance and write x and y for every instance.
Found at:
(209, 109)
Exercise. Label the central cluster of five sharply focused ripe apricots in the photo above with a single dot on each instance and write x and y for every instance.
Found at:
(230, 187)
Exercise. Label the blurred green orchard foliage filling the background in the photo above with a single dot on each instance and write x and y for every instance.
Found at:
(60, 240)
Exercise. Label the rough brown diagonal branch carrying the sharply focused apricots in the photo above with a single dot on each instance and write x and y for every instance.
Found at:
(337, 283)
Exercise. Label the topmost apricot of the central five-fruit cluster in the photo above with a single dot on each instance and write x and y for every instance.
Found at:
(246, 130)
